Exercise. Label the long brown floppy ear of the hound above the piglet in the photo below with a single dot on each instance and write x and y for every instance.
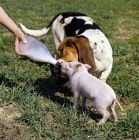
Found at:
(85, 52)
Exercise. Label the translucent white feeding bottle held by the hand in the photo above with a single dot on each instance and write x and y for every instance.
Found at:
(36, 51)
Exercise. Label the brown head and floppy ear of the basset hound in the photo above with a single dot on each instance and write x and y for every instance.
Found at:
(77, 49)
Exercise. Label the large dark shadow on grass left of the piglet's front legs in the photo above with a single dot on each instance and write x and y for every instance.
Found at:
(49, 87)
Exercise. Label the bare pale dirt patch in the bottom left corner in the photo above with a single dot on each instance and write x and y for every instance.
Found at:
(10, 129)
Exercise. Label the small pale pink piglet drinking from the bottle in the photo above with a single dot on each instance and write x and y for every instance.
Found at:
(100, 93)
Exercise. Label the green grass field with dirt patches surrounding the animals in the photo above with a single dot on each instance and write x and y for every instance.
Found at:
(32, 106)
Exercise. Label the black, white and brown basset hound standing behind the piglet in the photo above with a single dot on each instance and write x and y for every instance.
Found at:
(78, 38)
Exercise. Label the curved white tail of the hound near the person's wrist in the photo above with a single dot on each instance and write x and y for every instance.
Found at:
(35, 32)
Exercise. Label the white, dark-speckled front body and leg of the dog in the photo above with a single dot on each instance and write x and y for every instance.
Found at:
(102, 51)
